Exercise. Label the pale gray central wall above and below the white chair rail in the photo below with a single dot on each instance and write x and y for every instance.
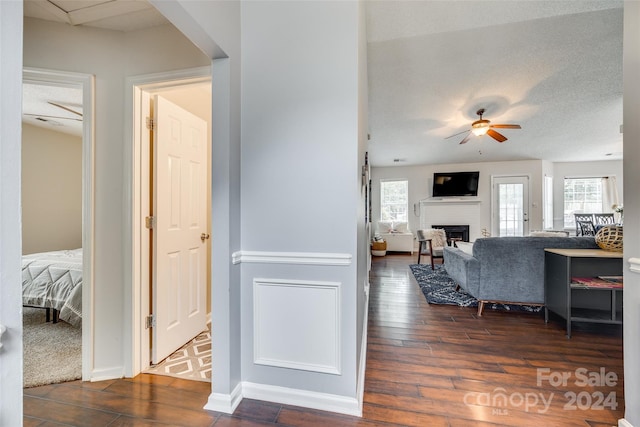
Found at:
(301, 186)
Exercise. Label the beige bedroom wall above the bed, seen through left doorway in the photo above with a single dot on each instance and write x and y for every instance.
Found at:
(51, 190)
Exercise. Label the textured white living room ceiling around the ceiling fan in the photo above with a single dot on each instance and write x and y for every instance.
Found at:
(554, 67)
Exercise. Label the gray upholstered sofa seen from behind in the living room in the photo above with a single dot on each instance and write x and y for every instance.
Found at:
(506, 269)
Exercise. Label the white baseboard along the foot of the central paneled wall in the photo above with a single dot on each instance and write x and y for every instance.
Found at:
(304, 398)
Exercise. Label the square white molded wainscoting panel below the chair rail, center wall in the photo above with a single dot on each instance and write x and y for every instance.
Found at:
(297, 324)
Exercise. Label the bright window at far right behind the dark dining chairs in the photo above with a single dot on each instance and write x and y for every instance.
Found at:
(581, 195)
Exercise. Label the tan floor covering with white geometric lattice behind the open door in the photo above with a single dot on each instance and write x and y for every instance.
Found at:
(191, 362)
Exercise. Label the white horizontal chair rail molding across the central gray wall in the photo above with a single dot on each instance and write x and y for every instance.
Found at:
(308, 258)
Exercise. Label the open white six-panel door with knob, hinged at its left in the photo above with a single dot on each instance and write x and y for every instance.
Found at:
(180, 233)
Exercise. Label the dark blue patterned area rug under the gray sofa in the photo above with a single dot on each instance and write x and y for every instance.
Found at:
(439, 288)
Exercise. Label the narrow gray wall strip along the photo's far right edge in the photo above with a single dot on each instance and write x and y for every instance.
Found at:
(631, 89)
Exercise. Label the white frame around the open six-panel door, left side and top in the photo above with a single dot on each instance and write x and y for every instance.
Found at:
(136, 162)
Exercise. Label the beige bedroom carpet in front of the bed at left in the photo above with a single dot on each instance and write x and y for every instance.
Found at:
(52, 352)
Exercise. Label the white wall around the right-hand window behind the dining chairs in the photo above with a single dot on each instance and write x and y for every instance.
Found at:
(581, 170)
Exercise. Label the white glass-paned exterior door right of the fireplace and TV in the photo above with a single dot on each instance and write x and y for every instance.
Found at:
(510, 207)
